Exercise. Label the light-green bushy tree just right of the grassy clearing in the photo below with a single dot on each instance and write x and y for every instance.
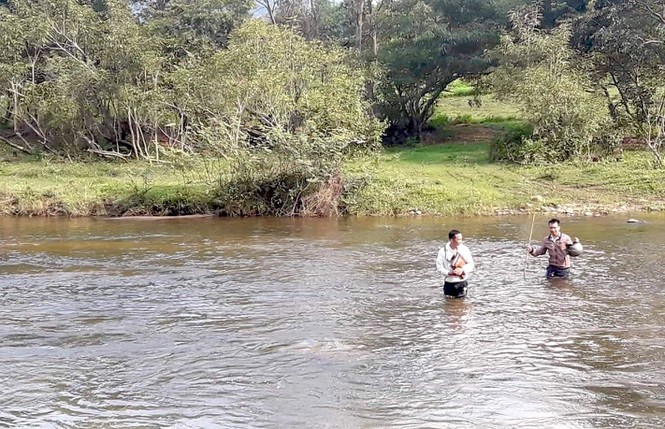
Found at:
(539, 73)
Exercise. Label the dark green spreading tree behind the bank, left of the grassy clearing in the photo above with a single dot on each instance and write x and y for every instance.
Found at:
(425, 45)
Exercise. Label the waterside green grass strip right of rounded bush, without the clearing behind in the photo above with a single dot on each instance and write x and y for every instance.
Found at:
(457, 179)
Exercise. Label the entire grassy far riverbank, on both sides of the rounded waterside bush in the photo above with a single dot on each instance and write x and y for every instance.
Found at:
(448, 174)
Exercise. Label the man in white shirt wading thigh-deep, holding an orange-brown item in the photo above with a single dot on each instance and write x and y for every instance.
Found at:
(455, 262)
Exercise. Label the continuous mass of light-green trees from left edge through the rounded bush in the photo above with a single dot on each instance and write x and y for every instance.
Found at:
(86, 76)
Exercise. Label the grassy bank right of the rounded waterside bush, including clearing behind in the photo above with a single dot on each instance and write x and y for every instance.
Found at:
(450, 173)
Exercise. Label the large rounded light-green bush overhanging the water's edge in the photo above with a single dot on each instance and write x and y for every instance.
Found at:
(282, 111)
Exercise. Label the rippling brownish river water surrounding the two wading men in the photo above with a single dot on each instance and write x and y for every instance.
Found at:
(318, 323)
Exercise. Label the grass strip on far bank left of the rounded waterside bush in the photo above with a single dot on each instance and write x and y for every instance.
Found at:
(81, 189)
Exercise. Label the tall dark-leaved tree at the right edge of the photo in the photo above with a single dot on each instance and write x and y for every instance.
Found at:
(626, 42)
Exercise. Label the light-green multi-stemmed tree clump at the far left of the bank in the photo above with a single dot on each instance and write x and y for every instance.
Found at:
(78, 78)
